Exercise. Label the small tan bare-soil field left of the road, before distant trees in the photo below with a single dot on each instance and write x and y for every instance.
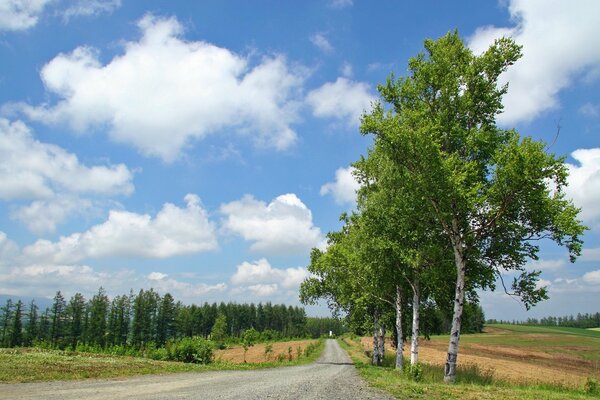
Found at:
(256, 353)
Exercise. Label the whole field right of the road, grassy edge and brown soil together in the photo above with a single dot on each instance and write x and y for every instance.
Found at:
(504, 362)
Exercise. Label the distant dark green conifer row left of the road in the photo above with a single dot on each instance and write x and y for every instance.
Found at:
(148, 319)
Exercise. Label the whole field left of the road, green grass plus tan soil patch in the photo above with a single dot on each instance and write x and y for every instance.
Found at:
(34, 365)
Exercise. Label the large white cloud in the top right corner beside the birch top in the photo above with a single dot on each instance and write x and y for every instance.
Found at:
(556, 37)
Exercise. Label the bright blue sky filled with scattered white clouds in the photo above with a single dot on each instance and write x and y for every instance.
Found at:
(203, 148)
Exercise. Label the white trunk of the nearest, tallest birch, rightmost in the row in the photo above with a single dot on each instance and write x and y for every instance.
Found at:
(450, 368)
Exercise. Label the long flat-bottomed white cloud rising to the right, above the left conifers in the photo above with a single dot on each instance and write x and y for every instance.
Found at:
(173, 231)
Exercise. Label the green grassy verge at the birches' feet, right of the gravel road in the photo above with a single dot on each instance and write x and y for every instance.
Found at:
(471, 382)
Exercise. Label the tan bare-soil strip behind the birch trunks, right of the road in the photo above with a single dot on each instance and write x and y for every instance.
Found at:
(512, 364)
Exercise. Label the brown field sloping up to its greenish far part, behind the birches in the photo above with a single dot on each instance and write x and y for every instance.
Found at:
(512, 361)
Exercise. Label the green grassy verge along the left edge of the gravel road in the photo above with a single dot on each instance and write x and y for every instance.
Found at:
(35, 365)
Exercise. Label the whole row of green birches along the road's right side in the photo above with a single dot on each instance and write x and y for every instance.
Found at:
(449, 203)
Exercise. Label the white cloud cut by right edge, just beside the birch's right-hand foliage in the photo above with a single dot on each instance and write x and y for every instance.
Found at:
(584, 183)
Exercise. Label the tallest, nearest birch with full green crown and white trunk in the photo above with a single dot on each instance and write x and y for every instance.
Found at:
(486, 188)
